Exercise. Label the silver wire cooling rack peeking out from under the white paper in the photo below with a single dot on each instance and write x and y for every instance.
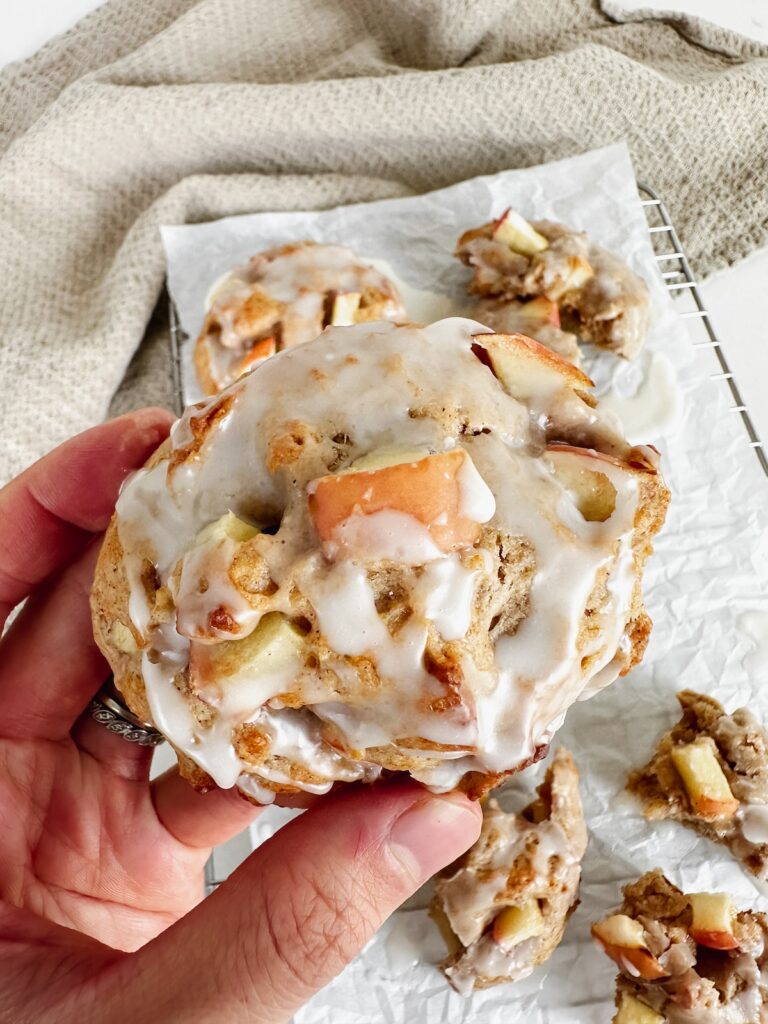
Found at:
(679, 281)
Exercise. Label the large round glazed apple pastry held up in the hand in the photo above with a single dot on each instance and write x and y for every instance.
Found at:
(392, 549)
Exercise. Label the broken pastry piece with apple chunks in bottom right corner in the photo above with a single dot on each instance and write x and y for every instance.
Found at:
(686, 959)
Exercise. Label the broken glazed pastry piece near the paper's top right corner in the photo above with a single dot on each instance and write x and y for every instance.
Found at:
(599, 295)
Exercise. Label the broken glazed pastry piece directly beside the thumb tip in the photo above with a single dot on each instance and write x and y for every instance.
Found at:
(503, 907)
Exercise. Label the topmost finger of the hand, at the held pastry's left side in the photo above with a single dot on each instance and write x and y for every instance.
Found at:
(50, 513)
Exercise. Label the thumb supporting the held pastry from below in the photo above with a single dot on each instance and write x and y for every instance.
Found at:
(303, 906)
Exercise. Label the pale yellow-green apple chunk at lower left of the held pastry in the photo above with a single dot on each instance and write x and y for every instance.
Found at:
(241, 675)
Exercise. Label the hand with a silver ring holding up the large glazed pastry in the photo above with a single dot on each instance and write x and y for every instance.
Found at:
(101, 871)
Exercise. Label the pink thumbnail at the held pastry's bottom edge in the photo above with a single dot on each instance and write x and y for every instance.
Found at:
(433, 833)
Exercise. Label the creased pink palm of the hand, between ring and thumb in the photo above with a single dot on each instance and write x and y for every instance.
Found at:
(71, 840)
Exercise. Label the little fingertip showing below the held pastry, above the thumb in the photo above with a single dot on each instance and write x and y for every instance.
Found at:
(200, 820)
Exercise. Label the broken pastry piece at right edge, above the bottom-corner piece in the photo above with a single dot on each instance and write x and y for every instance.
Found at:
(711, 773)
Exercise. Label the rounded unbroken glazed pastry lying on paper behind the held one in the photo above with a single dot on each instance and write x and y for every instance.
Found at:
(283, 297)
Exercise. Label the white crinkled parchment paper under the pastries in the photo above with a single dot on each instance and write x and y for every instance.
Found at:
(707, 586)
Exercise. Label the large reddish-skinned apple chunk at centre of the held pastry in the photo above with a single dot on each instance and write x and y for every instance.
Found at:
(430, 488)
